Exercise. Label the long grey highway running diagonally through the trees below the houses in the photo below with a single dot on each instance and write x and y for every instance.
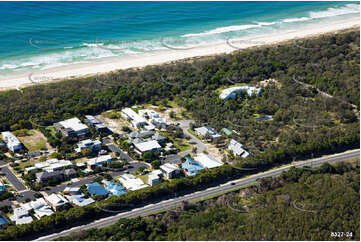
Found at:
(201, 194)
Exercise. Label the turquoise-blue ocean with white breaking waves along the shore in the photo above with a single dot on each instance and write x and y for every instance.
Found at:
(43, 35)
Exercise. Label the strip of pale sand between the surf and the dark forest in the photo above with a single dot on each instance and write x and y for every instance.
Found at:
(115, 63)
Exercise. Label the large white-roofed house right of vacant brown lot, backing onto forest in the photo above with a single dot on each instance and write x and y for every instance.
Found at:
(72, 127)
